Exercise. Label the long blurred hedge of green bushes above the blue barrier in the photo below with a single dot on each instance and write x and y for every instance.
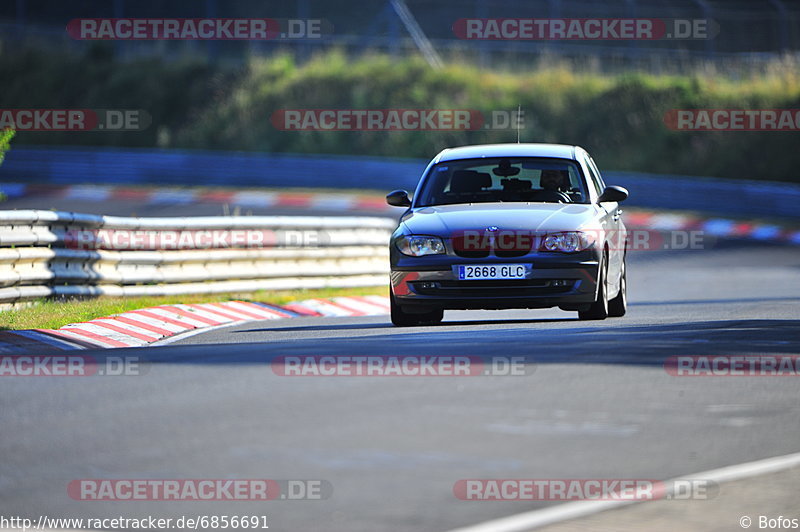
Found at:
(619, 118)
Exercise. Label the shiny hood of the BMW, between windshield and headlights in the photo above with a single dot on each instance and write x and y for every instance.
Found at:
(444, 220)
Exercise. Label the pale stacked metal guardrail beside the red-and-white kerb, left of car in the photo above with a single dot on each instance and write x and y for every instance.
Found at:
(46, 254)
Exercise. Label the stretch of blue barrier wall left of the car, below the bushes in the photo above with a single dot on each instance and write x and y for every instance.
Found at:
(185, 167)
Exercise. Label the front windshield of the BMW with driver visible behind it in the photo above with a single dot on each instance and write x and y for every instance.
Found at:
(503, 179)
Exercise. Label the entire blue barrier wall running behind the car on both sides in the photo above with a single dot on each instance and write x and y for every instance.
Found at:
(181, 167)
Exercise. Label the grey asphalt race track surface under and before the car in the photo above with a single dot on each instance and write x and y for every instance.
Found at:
(597, 403)
